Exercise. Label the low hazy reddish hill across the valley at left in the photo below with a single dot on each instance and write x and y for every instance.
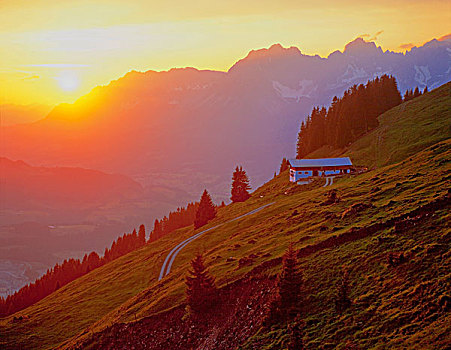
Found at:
(24, 187)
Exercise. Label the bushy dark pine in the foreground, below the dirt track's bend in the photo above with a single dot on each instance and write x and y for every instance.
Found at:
(200, 287)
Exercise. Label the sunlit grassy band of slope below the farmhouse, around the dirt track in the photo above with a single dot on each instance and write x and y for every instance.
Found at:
(127, 288)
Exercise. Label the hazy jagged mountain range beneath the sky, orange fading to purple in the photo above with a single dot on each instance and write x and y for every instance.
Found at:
(188, 128)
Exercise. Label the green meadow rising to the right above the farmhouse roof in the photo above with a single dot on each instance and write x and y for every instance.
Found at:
(403, 131)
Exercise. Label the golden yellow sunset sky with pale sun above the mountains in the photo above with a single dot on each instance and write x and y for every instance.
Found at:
(56, 51)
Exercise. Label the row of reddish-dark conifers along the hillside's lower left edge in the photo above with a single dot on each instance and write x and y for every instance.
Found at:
(69, 270)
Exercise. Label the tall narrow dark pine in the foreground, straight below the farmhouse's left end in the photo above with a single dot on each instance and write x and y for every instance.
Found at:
(290, 282)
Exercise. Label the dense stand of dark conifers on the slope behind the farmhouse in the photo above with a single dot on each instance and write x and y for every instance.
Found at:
(350, 116)
